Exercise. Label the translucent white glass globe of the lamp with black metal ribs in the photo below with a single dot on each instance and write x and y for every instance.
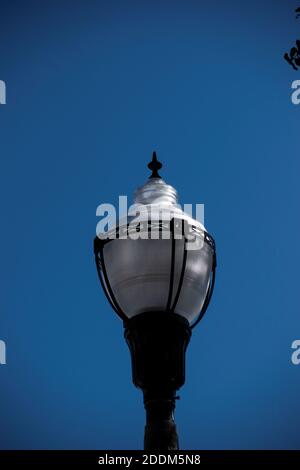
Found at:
(172, 273)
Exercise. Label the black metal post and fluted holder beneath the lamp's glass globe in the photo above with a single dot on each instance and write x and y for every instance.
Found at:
(157, 342)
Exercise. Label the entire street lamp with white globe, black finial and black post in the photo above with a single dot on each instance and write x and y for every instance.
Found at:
(158, 274)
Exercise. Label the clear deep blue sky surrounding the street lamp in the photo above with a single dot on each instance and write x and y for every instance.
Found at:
(93, 88)
